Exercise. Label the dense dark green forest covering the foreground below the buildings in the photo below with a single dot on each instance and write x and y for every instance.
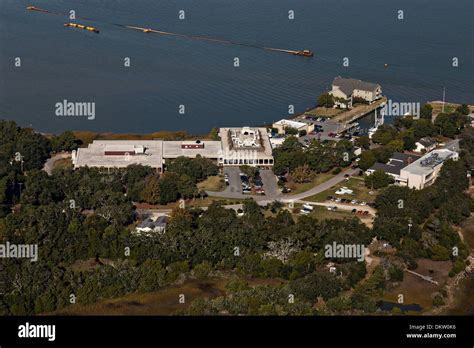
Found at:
(83, 214)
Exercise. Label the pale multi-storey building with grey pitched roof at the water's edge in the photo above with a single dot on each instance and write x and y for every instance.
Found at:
(345, 90)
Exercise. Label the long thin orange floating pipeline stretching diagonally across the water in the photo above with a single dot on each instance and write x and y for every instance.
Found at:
(304, 53)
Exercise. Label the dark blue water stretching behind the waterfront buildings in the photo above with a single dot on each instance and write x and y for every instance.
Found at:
(63, 63)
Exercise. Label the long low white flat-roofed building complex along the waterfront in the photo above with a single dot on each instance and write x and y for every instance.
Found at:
(238, 146)
